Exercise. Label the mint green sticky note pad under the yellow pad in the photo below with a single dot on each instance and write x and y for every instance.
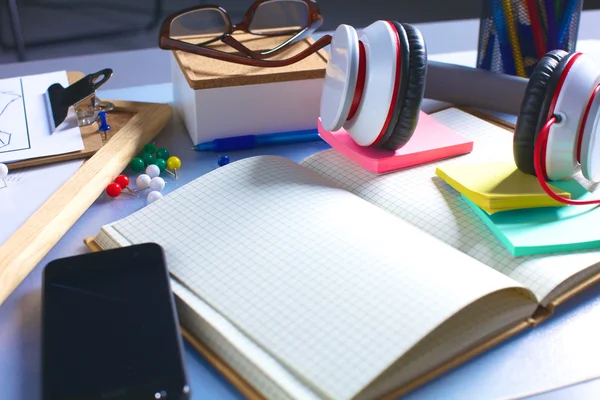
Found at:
(546, 230)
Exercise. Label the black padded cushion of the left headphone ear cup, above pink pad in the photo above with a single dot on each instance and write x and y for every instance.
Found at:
(411, 89)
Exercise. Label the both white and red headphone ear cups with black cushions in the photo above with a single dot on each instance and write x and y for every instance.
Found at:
(375, 82)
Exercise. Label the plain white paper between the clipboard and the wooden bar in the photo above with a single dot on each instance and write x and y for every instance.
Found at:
(27, 189)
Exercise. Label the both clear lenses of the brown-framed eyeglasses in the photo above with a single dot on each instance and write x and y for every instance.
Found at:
(270, 18)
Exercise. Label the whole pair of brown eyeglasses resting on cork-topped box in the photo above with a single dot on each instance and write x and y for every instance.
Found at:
(191, 30)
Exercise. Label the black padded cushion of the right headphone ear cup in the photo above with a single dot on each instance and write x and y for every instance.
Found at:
(535, 107)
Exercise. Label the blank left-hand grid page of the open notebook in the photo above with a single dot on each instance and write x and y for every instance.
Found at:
(310, 272)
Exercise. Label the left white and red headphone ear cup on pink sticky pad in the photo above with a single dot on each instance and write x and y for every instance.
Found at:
(374, 83)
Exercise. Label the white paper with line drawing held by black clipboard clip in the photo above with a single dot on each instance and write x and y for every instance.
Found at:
(25, 128)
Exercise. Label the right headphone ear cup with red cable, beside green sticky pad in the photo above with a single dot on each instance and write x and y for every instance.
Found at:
(556, 132)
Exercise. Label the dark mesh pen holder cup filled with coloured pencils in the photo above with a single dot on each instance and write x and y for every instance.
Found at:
(515, 34)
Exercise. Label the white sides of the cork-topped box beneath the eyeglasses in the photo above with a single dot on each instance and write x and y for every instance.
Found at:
(214, 113)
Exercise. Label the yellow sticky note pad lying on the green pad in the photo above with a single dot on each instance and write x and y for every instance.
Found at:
(498, 186)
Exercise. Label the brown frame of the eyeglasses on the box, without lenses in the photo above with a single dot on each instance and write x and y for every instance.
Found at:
(253, 58)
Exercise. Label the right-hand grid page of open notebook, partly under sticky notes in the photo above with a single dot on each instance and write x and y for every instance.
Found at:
(418, 196)
